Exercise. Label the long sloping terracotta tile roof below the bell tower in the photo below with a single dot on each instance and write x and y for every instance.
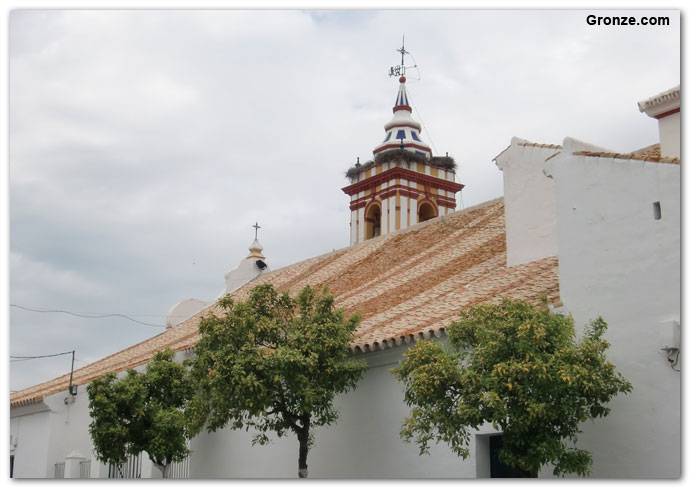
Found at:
(407, 285)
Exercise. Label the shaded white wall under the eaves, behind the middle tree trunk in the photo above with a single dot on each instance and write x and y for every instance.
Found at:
(364, 443)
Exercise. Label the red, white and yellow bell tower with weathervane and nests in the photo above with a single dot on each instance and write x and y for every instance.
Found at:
(404, 184)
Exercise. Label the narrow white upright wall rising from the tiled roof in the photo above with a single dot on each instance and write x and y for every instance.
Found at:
(530, 208)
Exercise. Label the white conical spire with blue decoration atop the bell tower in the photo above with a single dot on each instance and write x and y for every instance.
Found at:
(403, 132)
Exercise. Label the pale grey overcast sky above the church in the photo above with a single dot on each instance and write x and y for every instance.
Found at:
(145, 144)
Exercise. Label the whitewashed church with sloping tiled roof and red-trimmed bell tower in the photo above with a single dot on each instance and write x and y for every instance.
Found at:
(595, 231)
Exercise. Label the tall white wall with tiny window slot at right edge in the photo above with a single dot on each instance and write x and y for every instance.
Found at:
(618, 262)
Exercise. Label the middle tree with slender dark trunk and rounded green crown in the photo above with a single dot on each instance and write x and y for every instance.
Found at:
(274, 363)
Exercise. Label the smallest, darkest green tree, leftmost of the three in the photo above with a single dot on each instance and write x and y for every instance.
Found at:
(141, 412)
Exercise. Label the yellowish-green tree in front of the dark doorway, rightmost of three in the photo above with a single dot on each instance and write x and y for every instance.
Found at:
(517, 366)
